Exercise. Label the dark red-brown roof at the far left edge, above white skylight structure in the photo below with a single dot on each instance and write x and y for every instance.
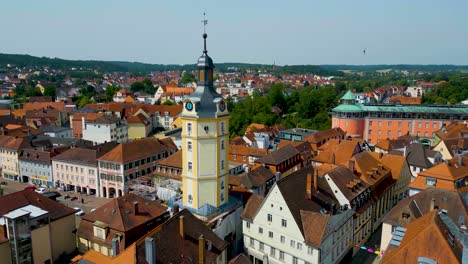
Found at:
(23, 198)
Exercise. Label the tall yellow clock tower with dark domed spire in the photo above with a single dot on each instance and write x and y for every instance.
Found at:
(205, 135)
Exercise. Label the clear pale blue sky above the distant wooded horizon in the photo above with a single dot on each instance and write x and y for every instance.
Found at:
(255, 31)
